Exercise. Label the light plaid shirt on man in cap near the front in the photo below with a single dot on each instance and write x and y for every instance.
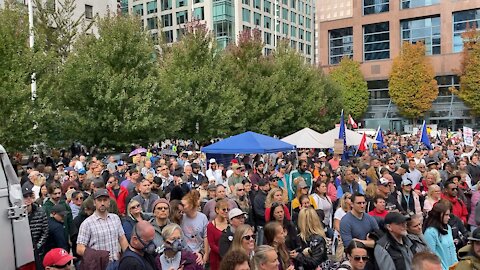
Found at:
(102, 234)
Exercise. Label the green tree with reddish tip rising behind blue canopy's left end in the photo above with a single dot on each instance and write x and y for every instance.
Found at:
(203, 105)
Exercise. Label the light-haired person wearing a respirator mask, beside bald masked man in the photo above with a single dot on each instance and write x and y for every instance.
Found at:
(175, 255)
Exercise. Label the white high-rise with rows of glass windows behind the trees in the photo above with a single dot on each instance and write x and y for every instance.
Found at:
(275, 19)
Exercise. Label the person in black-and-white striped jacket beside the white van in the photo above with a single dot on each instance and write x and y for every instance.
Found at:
(38, 225)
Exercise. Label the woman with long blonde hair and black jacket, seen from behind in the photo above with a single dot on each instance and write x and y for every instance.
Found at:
(312, 241)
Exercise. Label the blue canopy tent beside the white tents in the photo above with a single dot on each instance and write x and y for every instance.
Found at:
(248, 143)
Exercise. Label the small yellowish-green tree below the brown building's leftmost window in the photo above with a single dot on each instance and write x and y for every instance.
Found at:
(353, 87)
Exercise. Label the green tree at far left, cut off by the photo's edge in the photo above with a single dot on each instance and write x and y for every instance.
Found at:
(16, 119)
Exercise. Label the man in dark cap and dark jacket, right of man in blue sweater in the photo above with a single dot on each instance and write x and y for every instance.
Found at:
(394, 250)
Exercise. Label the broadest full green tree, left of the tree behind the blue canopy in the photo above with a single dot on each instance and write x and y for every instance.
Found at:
(108, 92)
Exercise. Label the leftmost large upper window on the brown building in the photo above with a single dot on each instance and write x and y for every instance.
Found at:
(340, 44)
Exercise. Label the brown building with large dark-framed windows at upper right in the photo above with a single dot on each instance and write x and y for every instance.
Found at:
(372, 32)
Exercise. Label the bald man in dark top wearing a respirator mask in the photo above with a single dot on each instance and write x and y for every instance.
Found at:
(140, 253)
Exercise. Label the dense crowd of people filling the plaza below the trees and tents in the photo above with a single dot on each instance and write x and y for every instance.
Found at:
(398, 207)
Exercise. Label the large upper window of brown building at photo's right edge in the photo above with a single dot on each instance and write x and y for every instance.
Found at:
(462, 21)
